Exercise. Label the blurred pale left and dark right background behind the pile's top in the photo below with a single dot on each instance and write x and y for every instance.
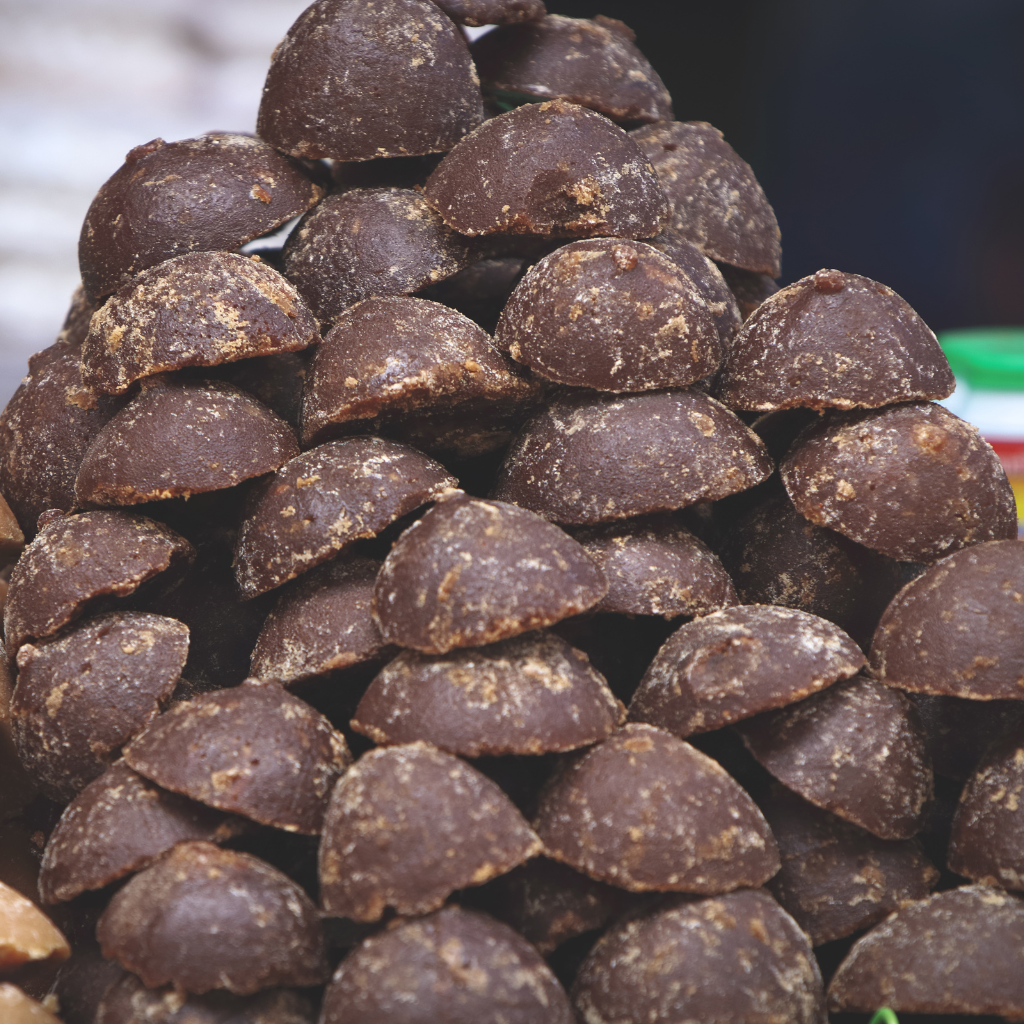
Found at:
(888, 135)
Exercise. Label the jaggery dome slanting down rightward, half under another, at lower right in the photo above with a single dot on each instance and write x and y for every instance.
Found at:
(857, 750)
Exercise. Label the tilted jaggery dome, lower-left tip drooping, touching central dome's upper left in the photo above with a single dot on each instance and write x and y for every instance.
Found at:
(325, 499)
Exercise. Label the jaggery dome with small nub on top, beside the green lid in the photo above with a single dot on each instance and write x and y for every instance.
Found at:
(834, 339)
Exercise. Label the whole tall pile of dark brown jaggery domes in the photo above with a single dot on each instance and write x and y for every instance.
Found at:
(497, 602)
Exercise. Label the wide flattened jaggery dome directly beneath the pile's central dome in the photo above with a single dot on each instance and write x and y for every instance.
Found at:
(530, 695)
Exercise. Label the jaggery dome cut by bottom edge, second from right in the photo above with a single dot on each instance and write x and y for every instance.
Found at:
(736, 958)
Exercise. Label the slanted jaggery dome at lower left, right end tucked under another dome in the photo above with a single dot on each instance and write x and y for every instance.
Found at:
(118, 825)
